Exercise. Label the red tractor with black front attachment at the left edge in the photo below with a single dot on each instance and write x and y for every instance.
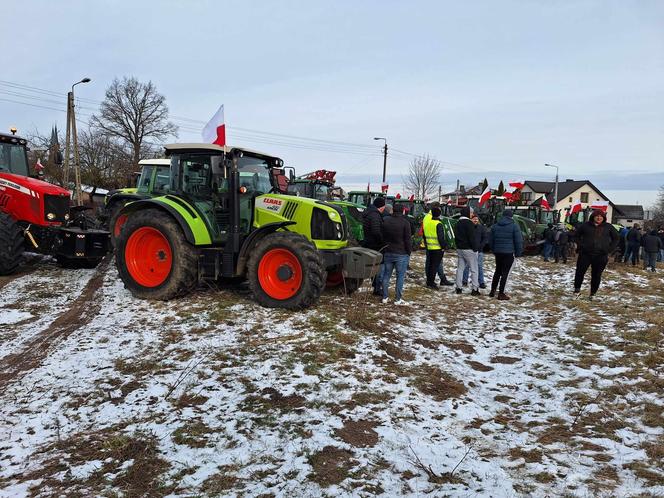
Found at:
(36, 216)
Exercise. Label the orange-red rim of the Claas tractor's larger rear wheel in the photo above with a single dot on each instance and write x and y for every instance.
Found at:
(148, 256)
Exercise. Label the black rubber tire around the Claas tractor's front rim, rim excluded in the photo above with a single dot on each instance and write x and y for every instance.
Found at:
(313, 278)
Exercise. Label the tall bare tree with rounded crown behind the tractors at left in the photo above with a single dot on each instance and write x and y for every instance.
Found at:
(134, 112)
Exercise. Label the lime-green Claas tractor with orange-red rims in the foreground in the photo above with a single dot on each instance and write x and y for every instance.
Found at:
(224, 216)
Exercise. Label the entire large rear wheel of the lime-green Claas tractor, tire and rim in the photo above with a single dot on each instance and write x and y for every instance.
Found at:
(182, 273)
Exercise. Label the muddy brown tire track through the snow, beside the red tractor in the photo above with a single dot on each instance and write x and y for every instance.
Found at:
(80, 313)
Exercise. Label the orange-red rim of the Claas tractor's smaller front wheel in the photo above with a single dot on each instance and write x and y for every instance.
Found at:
(280, 274)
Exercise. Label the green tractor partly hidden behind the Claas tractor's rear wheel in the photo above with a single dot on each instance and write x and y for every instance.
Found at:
(153, 180)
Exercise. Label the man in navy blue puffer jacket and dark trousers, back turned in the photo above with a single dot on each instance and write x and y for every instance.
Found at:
(506, 243)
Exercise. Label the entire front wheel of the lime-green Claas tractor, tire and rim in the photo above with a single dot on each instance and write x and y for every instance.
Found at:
(307, 262)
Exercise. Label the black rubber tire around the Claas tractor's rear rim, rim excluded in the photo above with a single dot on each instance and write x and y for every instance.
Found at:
(184, 273)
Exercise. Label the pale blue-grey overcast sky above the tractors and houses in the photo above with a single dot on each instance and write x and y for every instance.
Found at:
(482, 86)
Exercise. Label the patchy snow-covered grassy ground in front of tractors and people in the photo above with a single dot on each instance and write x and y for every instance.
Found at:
(212, 395)
